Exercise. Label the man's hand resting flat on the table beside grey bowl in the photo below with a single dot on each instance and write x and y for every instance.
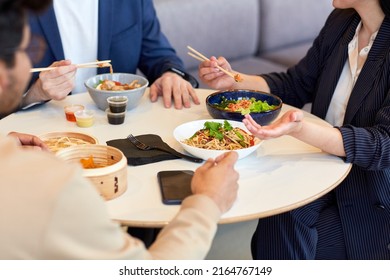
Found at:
(173, 87)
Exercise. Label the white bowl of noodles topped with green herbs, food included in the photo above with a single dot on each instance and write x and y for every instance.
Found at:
(211, 138)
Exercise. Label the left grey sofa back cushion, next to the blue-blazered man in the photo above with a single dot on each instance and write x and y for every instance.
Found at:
(219, 27)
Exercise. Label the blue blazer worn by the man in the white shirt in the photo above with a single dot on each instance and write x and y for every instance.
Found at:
(128, 33)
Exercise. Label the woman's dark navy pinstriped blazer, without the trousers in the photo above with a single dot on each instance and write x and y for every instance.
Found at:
(363, 198)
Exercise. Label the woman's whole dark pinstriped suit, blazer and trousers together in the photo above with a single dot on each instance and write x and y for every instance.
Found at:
(353, 221)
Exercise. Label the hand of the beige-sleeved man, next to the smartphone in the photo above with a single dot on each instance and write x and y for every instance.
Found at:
(218, 180)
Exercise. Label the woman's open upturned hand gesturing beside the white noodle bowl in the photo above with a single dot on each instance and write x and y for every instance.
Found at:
(289, 123)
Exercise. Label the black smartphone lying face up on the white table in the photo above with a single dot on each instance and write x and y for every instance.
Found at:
(175, 185)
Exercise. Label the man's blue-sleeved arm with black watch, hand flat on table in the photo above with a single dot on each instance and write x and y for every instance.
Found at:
(161, 65)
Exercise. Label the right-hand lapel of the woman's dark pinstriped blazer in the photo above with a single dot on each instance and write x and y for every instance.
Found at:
(369, 71)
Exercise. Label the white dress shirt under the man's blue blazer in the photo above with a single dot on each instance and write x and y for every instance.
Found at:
(78, 25)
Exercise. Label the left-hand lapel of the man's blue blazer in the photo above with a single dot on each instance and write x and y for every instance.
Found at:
(52, 33)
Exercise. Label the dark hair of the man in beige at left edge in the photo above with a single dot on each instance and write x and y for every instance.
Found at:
(12, 21)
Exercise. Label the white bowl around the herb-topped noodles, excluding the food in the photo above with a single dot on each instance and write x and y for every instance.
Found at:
(186, 130)
